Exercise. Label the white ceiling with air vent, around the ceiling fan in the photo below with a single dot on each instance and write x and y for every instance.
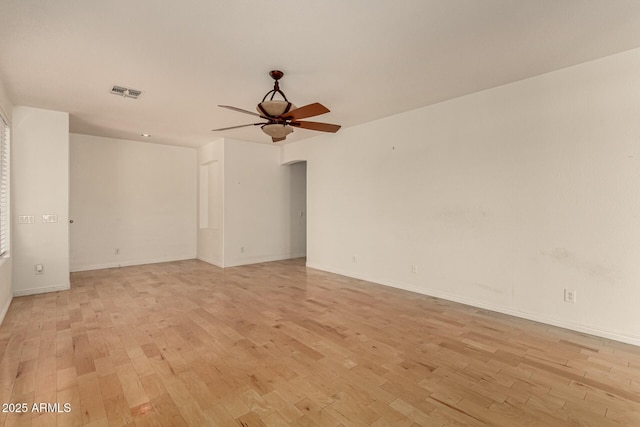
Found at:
(363, 59)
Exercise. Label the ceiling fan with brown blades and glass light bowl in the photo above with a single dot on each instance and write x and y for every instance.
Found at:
(282, 116)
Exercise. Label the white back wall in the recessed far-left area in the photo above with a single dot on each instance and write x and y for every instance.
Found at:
(136, 198)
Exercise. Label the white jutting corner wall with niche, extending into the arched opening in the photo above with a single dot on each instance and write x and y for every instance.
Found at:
(253, 205)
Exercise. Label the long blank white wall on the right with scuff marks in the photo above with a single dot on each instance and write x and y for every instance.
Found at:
(501, 199)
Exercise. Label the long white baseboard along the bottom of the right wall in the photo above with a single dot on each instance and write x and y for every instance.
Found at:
(493, 307)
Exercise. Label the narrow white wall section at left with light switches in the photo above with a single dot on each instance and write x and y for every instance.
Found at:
(40, 174)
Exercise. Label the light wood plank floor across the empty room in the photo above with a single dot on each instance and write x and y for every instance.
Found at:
(186, 343)
